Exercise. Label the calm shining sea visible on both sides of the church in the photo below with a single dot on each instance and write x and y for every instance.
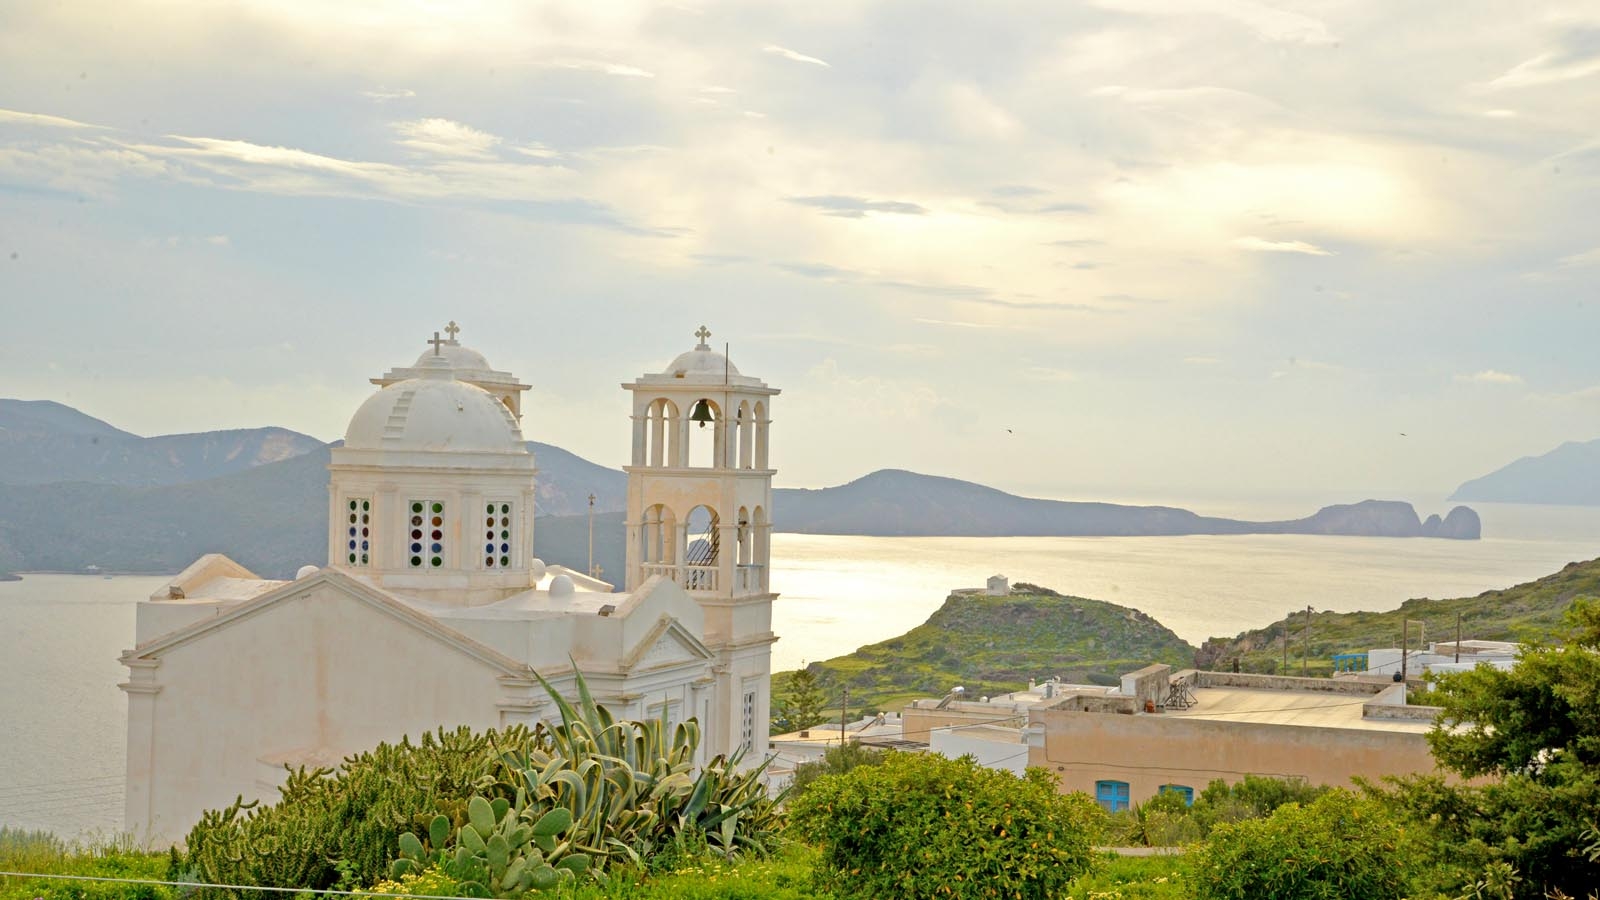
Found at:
(63, 718)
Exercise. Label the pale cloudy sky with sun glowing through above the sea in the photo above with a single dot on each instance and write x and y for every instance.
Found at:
(1097, 251)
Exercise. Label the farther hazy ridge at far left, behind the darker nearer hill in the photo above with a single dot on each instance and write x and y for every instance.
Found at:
(44, 443)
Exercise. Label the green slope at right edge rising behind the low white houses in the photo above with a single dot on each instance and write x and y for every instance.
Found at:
(1530, 611)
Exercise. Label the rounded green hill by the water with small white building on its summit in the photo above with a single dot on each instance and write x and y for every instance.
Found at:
(998, 645)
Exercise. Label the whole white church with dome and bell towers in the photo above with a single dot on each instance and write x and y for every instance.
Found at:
(434, 608)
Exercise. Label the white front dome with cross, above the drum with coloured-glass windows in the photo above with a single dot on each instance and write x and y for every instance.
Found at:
(434, 414)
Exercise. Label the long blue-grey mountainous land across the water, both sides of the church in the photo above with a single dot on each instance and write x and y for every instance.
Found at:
(76, 491)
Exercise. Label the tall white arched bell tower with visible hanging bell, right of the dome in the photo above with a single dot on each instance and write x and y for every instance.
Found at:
(700, 499)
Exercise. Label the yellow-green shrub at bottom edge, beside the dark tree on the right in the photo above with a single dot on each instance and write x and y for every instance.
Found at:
(1338, 848)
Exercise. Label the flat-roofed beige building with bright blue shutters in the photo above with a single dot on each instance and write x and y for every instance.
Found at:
(1162, 731)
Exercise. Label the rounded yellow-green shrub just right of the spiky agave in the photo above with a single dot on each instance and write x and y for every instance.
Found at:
(922, 826)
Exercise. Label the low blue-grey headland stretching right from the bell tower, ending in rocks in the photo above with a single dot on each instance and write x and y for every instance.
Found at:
(894, 502)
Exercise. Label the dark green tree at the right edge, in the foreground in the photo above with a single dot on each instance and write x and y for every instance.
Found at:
(1534, 736)
